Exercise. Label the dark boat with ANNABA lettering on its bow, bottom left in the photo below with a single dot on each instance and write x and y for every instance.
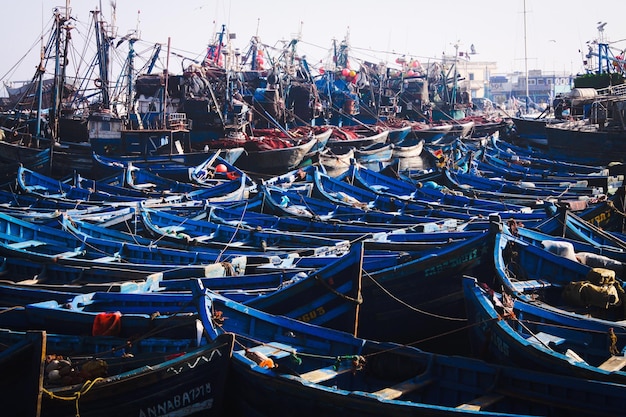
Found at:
(125, 377)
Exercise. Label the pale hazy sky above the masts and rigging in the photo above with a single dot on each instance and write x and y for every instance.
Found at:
(551, 39)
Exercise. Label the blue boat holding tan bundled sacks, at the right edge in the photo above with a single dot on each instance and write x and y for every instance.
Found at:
(554, 274)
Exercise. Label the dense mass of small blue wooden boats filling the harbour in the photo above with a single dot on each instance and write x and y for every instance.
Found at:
(165, 287)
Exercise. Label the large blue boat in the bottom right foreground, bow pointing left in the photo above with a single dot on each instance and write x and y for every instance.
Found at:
(283, 365)
